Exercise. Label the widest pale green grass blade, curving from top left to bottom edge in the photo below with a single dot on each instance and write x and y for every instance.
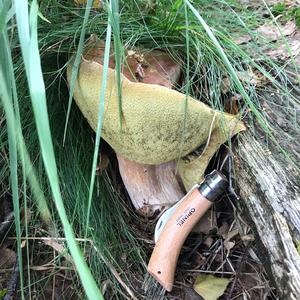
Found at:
(38, 97)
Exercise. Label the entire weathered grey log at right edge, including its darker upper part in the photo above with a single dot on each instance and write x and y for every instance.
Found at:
(269, 187)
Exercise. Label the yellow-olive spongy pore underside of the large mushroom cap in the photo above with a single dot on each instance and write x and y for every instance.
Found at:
(155, 127)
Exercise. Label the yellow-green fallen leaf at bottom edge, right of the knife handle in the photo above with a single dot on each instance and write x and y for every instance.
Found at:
(210, 287)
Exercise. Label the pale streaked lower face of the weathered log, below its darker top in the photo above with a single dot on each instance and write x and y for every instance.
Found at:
(269, 191)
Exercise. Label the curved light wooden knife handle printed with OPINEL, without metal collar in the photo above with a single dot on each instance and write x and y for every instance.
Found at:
(163, 261)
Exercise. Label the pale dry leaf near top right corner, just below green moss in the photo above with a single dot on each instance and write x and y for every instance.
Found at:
(272, 32)
